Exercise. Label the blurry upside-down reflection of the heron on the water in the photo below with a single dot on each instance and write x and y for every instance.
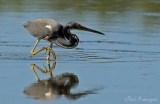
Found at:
(54, 87)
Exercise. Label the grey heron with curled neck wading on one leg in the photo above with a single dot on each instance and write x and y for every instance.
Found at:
(54, 32)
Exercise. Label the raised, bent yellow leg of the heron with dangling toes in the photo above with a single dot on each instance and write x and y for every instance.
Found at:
(43, 48)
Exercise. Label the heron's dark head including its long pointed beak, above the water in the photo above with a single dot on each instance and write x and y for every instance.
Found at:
(75, 25)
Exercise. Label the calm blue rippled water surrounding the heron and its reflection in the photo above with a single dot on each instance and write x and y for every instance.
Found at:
(121, 67)
